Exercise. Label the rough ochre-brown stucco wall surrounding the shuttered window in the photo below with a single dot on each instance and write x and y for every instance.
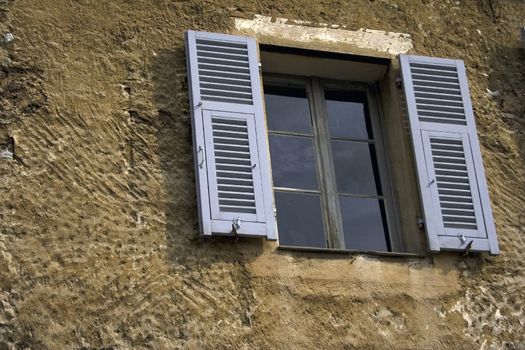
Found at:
(98, 229)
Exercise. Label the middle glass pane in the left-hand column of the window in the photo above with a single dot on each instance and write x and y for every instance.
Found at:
(293, 162)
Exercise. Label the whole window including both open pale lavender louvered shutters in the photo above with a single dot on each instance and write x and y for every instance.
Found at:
(331, 183)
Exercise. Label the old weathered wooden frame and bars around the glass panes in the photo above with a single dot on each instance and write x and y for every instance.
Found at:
(331, 211)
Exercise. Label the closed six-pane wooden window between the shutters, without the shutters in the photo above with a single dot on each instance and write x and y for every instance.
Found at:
(330, 179)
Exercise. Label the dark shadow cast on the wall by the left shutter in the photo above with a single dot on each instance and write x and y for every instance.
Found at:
(175, 152)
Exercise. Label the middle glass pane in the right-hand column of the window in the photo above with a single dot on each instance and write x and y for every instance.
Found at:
(356, 168)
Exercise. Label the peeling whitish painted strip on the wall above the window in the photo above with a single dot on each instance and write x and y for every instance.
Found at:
(379, 40)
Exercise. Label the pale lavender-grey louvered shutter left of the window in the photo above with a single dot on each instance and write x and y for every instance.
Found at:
(229, 136)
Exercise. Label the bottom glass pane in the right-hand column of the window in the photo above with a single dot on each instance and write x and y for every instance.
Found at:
(364, 223)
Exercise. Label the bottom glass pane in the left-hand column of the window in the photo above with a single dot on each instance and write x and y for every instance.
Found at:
(300, 220)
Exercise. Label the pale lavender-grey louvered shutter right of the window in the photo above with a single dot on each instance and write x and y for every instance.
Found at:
(451, 177)
